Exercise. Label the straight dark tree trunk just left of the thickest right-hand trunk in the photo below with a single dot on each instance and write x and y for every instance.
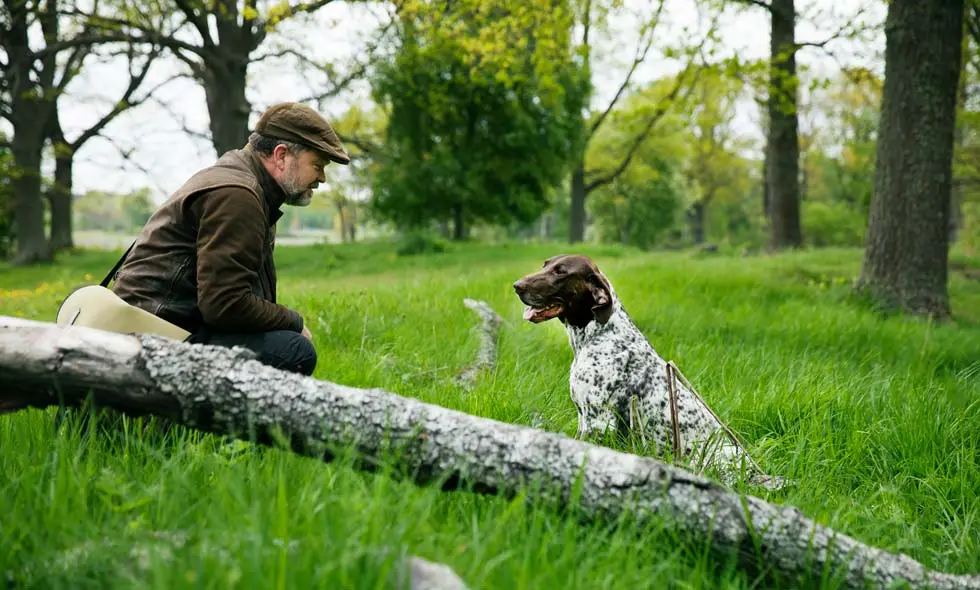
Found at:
(783, 174)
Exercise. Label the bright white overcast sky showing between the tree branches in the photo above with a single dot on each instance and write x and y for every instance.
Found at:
(163, 141)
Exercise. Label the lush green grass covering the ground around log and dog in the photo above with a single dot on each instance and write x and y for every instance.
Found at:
(876, 417)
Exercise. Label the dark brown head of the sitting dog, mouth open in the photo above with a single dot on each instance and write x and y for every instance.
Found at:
(569, 287)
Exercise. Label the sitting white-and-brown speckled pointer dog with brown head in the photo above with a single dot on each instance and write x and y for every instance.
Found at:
(618, 382)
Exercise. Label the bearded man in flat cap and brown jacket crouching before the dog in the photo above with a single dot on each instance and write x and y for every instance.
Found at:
(204, 260)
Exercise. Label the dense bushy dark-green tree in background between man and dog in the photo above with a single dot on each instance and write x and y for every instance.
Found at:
(479, 127)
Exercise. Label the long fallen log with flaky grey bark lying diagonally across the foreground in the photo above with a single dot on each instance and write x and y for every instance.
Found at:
(221, 390)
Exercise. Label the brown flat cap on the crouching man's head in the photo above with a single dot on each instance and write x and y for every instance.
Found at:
(296, 122)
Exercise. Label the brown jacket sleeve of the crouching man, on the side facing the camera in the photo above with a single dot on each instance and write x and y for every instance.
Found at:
(230, 235)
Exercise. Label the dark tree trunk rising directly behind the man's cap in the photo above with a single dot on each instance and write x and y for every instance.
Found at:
(228, 107)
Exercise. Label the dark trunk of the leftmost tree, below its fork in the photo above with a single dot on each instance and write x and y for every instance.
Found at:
(32, 240)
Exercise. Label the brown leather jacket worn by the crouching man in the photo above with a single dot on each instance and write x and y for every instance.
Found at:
(204, 258)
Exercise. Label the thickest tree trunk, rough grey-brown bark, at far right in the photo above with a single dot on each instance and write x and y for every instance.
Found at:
(906, 257)
